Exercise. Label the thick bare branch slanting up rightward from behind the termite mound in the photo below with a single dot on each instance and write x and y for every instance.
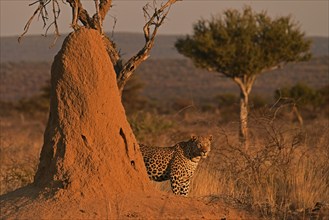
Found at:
(154, 21)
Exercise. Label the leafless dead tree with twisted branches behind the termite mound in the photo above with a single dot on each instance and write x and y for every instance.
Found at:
(154, 19)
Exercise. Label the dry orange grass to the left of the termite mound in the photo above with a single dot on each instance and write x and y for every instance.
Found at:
(20, 144)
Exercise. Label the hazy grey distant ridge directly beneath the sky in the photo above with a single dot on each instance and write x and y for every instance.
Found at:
(36, 48)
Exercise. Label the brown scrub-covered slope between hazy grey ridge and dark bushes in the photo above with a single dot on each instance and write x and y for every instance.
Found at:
(170, 79)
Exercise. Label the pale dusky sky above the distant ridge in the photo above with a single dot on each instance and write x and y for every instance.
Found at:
(312, 15)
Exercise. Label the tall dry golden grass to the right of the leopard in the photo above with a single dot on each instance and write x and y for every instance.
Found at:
(285, 173)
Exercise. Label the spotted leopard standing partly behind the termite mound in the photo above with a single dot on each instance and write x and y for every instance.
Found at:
(176, 163)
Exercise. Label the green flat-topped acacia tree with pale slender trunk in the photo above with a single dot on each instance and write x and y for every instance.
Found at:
(242, 46)
